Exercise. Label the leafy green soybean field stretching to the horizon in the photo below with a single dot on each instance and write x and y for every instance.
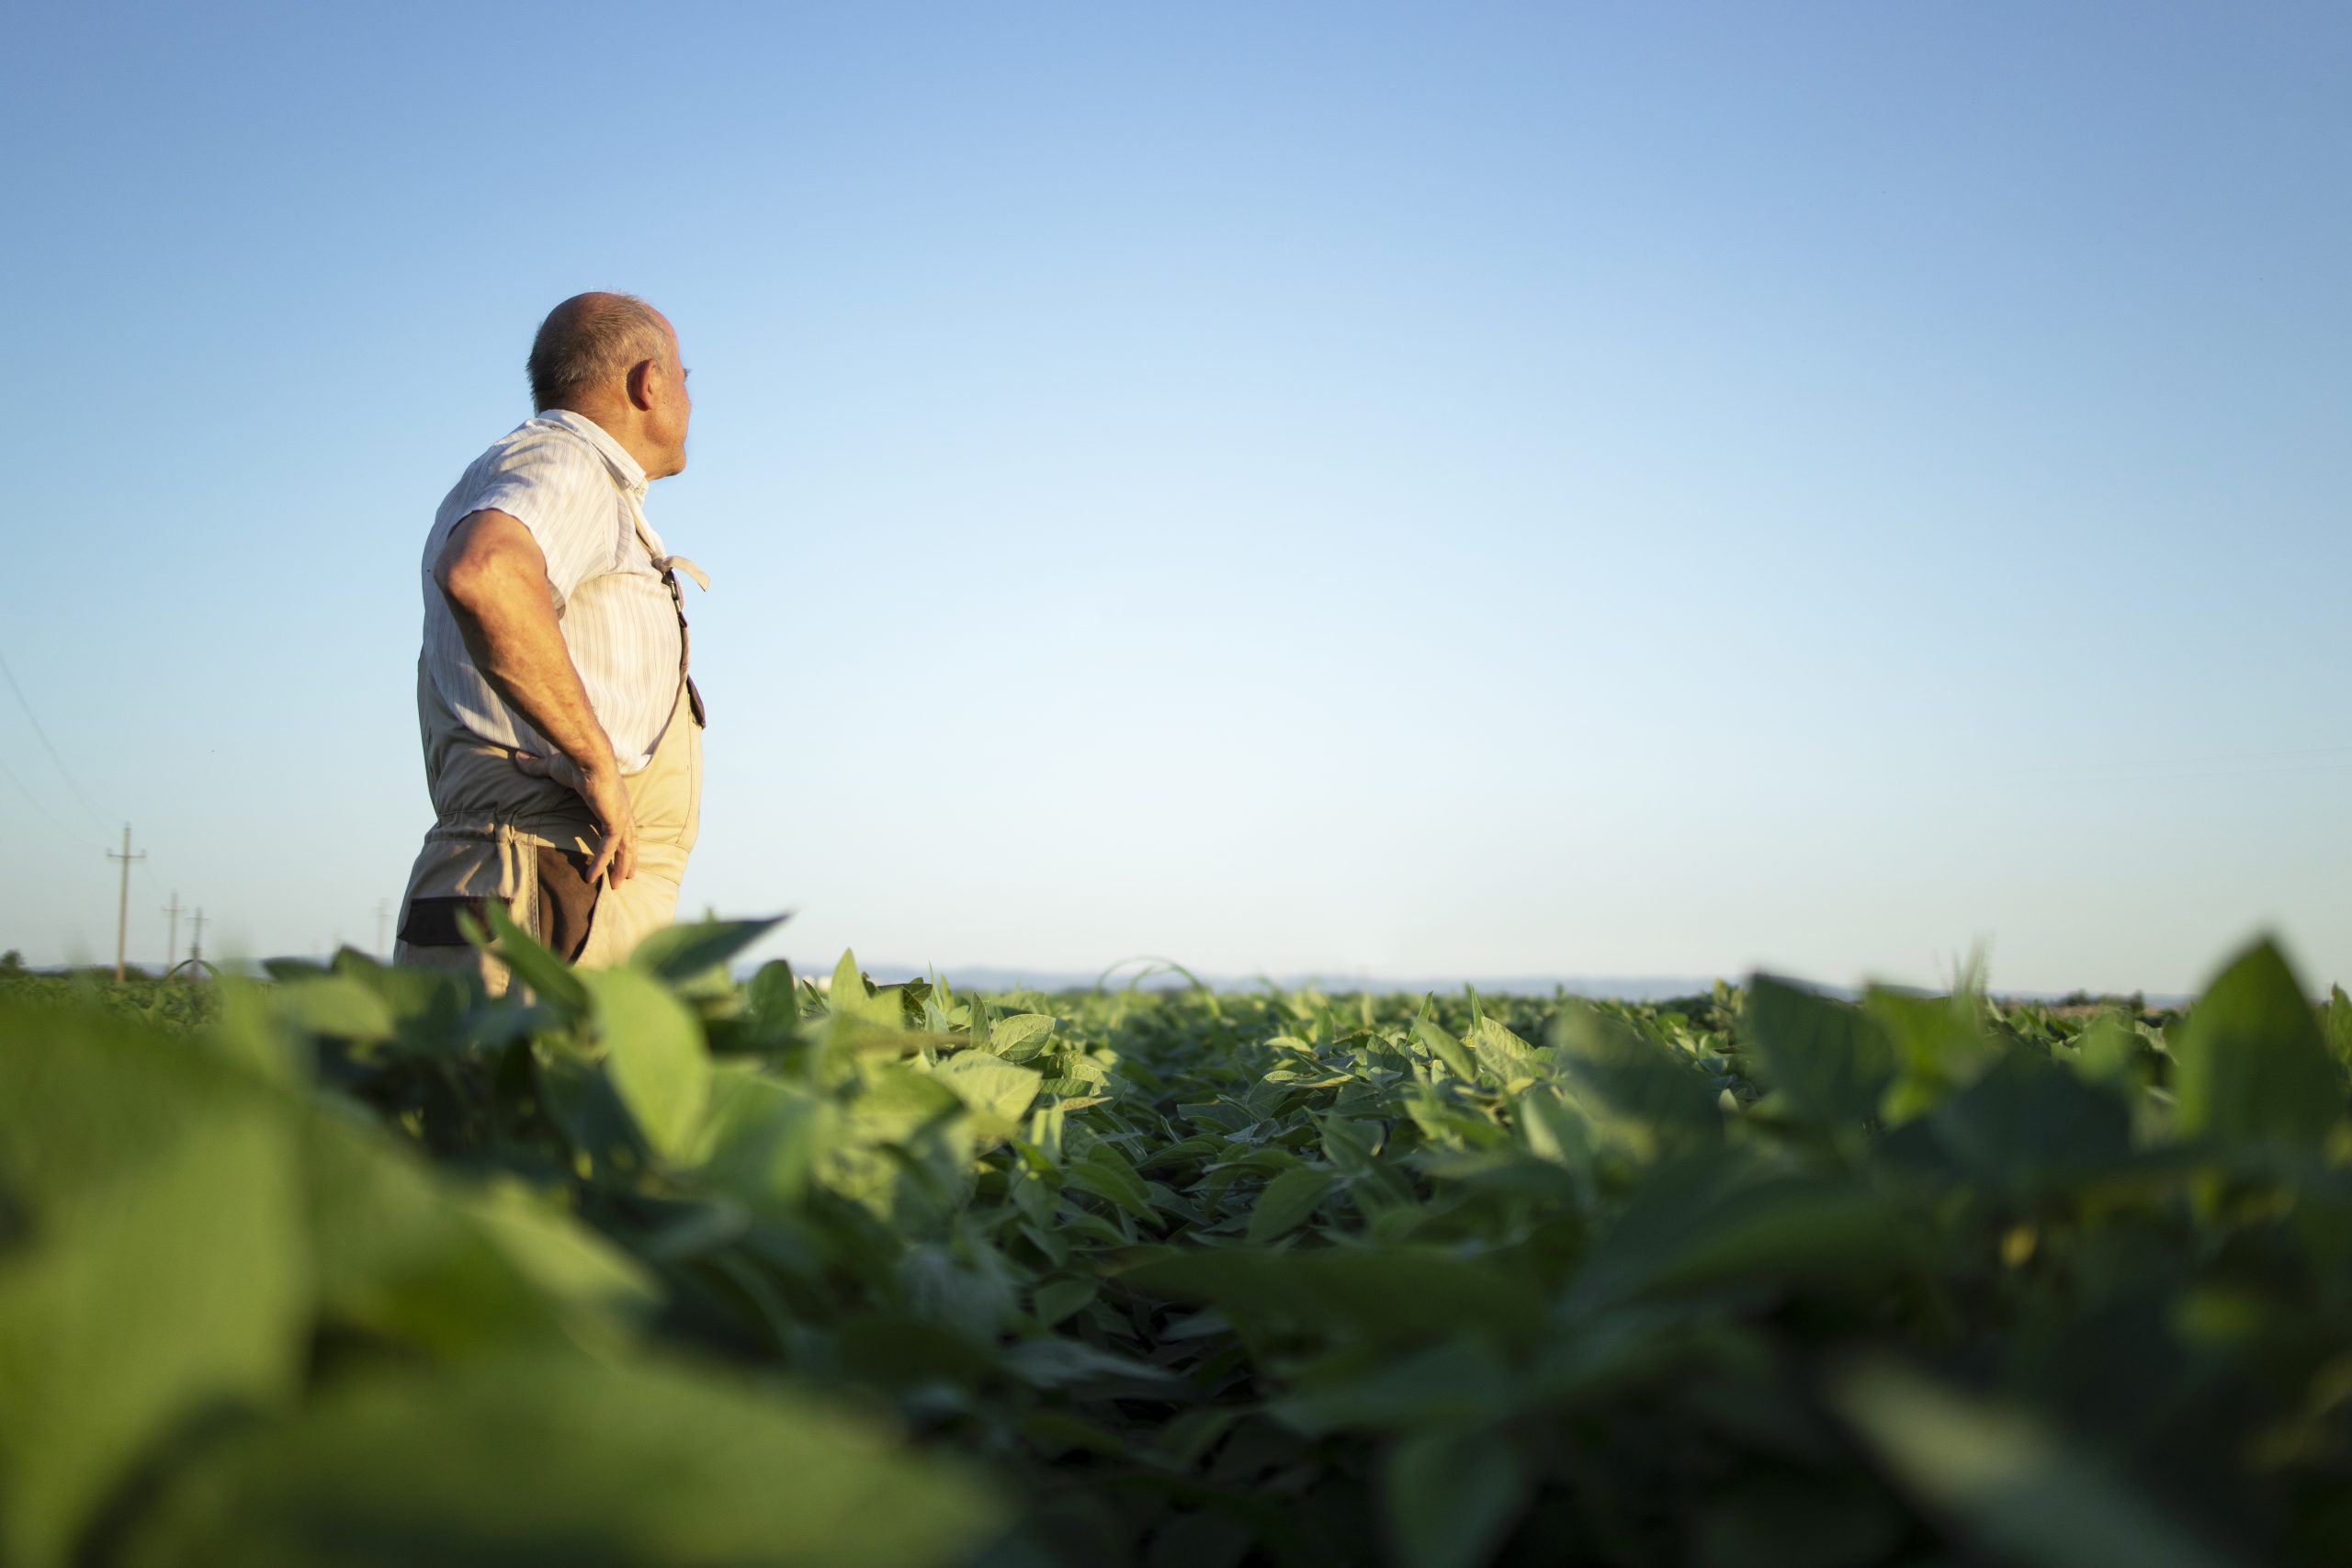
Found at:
(662, 1268)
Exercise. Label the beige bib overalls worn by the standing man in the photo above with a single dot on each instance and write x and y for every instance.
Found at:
(526, 843)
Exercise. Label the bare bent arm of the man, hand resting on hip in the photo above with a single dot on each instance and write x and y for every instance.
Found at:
(497, 587)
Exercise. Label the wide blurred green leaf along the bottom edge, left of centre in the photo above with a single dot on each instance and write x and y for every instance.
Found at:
(563, 1461)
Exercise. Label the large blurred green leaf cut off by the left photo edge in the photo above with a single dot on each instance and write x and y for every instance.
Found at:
(156, 1271)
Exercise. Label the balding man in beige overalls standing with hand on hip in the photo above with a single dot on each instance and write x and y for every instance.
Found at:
(561, 730)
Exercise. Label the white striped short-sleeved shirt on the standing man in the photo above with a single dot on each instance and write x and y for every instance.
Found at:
(582, 497)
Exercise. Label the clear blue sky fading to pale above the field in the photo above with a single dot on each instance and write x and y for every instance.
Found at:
(1330, 488)
